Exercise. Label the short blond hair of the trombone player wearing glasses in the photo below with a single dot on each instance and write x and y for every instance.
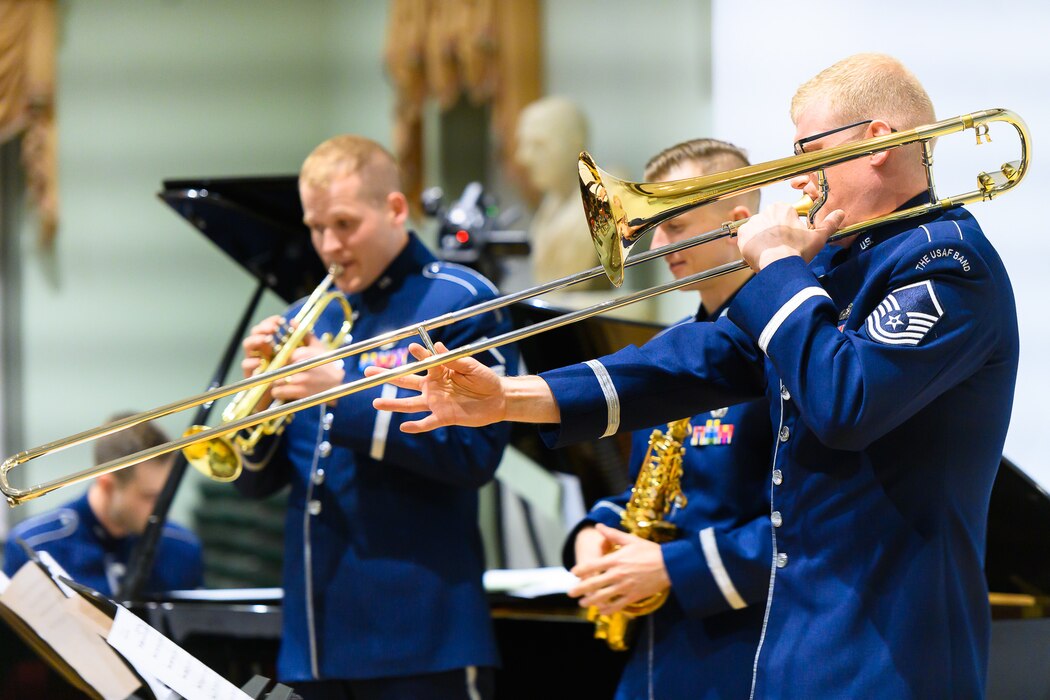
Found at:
(868, 87)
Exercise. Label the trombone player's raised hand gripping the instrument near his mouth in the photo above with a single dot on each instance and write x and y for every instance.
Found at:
(780, 232)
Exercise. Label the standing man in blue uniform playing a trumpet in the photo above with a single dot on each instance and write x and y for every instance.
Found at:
(384, 560)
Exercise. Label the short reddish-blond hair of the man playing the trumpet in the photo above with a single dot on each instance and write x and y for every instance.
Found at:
(350, 155)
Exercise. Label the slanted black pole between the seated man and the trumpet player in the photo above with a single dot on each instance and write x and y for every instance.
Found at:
(141, 562)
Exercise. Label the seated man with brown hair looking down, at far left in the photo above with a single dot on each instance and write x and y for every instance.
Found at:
(94, 537)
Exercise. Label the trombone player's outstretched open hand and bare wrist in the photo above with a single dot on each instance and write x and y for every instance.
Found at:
(467, 393)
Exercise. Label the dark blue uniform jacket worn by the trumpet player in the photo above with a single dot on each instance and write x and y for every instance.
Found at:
(384, 560)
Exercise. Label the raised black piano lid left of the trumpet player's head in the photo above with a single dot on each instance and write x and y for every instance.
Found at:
(256, 221)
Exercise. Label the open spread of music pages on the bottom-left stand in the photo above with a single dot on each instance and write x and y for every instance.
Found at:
(100, 647)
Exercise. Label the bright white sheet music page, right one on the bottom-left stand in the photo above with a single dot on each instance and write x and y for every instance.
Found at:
(149, 651)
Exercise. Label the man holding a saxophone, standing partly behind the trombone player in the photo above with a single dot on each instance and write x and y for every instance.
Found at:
(701, 643)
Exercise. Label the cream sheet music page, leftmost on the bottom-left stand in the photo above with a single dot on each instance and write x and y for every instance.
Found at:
(34, 598)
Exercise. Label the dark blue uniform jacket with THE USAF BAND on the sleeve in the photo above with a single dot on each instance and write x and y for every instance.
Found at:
(891, 380)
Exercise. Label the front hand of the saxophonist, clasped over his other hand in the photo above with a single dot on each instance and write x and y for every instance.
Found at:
(632, 571)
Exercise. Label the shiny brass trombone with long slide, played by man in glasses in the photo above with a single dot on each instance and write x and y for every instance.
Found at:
(619, 214)
